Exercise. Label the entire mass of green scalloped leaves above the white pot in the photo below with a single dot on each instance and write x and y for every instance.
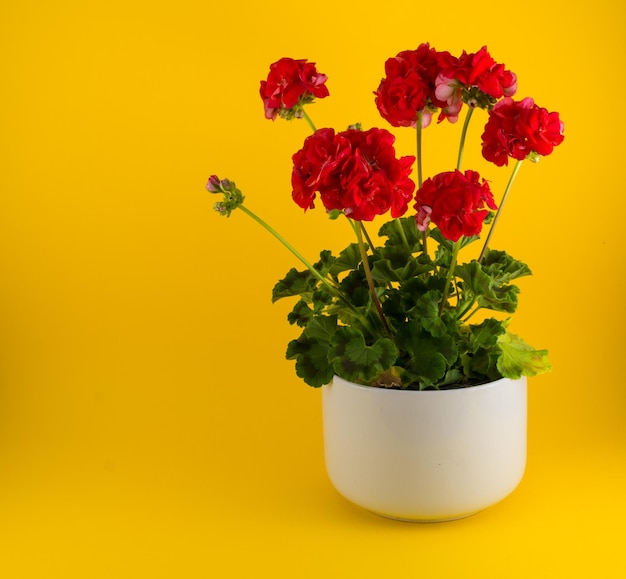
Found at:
(421, 340)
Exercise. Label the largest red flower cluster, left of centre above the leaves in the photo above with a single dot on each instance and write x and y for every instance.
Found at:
(354, 171)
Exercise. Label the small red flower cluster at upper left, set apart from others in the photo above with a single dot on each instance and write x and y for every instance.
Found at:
(289, 83)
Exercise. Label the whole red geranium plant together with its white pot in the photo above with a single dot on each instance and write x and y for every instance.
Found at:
(407, 333)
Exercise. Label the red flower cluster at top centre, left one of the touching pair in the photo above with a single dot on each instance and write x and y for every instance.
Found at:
(409, 87)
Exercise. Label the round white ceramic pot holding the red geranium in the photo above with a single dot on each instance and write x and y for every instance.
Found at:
(425, 455)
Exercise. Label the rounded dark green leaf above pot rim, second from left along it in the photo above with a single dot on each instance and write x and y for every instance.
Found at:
(355, 361)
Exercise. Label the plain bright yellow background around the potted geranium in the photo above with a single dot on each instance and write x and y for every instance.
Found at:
(149, 424)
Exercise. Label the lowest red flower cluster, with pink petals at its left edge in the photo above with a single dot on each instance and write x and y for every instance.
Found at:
(454, 202)
